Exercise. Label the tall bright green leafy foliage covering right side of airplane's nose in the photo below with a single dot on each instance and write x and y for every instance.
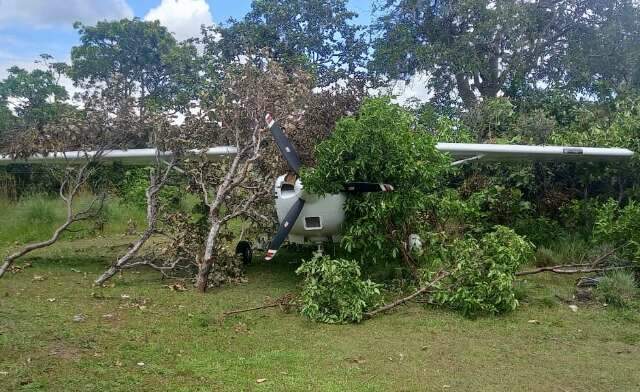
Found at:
(380, 144)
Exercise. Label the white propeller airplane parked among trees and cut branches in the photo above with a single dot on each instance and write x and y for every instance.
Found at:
(310, 218)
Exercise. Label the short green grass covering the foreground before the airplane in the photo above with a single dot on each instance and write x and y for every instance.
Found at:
(186, 344)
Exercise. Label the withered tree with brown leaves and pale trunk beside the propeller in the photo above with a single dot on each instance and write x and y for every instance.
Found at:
(236, 187)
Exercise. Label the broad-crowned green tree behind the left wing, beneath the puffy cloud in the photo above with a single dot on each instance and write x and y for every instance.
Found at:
(151, 67)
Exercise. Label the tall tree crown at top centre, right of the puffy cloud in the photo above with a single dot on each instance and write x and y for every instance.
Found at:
(318, 35)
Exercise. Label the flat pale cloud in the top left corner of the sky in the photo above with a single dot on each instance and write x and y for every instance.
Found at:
(50, 13)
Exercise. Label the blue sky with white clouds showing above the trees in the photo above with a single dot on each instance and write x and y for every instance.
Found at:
(29, 28)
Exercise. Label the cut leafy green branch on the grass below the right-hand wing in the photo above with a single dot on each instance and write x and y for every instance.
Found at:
(483, 271)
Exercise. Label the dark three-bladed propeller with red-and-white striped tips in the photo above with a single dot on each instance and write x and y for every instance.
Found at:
(293, 161)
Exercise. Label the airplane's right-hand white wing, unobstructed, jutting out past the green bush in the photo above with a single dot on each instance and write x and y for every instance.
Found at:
(465, 152)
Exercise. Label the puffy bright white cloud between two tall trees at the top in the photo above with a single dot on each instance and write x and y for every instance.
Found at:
(182, 17)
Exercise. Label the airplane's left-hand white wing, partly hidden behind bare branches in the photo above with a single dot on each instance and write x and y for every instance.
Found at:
(143, 156)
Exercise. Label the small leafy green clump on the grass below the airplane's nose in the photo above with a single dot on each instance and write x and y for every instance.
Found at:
(334, 291)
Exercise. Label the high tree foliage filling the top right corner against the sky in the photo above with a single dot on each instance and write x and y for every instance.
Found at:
(472, 46)
